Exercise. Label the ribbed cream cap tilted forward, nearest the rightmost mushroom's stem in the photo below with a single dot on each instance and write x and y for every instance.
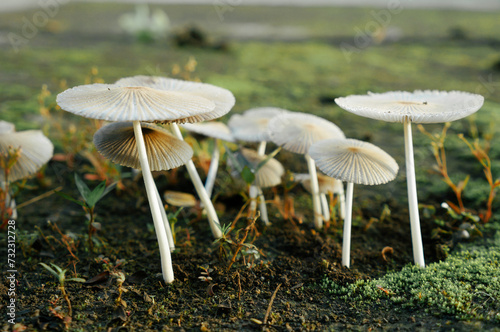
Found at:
(354, 161)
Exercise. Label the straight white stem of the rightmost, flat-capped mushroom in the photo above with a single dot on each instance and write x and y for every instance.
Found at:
(416, 237)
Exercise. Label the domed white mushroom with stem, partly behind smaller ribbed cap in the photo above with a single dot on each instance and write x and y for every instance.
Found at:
(296, 132)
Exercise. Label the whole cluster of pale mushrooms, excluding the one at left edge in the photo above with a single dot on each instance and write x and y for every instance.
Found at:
(135, 104)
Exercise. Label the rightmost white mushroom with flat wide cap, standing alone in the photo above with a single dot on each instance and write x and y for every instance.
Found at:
(407, 107)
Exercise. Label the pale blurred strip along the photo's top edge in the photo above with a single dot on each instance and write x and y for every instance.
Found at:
(15, 5)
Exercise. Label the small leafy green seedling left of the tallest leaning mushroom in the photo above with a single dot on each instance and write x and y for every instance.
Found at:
(90, 199)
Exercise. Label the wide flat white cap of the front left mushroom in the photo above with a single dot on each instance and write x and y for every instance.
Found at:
(113, 102)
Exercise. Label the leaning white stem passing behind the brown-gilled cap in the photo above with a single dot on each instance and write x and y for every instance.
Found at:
(200, 189)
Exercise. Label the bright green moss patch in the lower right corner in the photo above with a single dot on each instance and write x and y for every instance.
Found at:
(465, 285)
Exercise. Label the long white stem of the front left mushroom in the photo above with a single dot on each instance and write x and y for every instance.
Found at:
(152, 192)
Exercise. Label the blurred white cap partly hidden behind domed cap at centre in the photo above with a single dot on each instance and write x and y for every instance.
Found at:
(251, 126)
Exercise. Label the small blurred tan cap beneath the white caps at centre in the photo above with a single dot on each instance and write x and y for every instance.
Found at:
(269, 174)
